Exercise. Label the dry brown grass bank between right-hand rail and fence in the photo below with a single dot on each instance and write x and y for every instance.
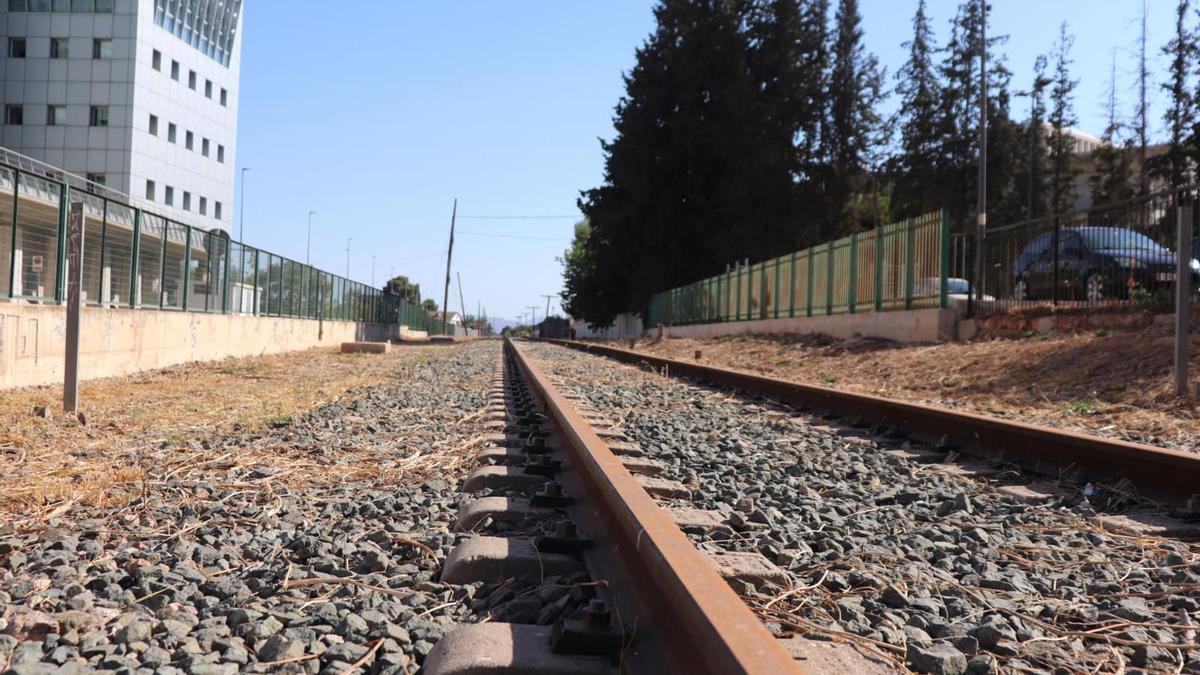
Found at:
(1115, 384)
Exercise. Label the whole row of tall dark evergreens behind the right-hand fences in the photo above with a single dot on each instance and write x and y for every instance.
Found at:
(751, 129)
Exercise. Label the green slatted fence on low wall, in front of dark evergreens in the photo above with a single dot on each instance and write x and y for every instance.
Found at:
(895, 267)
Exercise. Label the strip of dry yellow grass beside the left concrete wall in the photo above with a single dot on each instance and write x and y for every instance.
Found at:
(149, 432)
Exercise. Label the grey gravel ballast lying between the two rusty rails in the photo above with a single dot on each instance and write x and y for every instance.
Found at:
(940, 572)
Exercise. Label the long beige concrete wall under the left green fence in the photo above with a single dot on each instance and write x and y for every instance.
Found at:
(119, 342)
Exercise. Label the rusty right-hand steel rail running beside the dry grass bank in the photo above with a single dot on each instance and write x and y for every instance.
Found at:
(1172, 476)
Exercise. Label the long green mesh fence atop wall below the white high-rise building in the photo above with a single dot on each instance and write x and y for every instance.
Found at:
(136, 259)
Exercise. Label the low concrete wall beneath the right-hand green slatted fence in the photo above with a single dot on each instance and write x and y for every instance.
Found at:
(914, 326)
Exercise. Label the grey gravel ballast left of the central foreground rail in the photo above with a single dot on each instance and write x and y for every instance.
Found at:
(253, 569)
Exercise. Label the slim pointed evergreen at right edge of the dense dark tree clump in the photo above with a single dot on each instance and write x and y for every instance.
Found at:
(856, 88)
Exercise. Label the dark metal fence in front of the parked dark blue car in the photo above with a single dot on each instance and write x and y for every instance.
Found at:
(1111, 255)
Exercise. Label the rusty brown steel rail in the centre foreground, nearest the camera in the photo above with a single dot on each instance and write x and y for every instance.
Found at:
(669, 594)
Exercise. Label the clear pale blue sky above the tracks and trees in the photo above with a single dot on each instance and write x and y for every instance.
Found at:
(379, 114)
